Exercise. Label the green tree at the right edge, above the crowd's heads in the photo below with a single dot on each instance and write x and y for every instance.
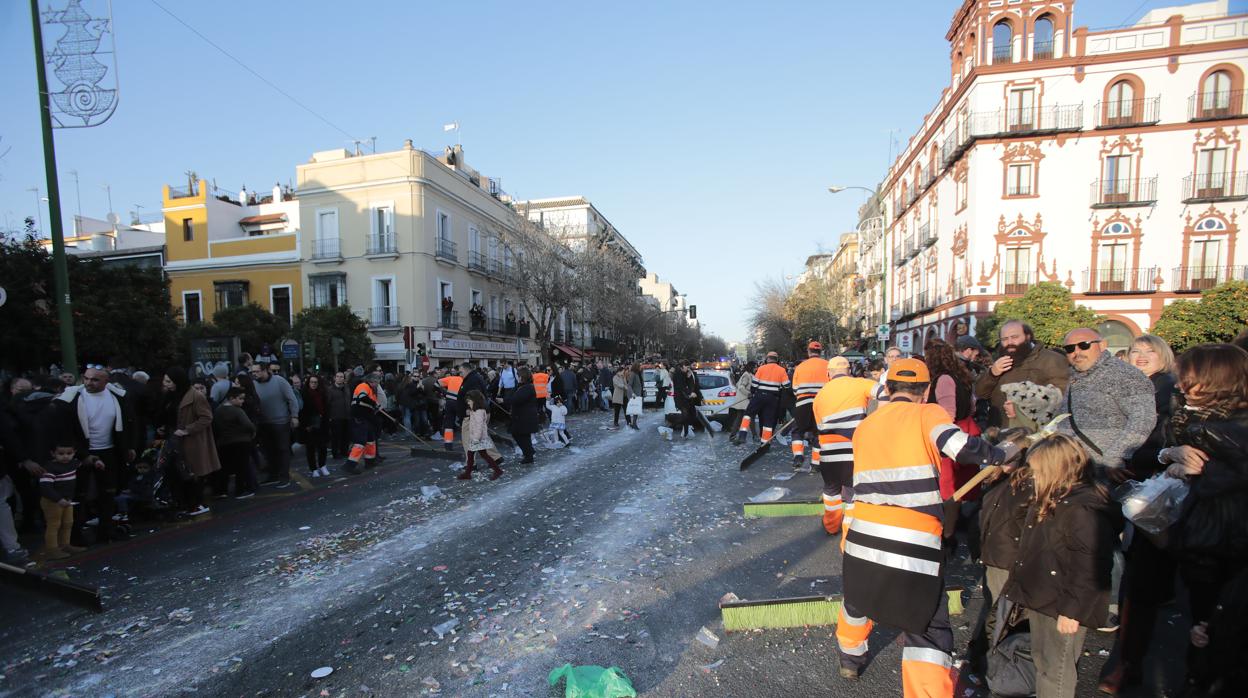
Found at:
(1219, 317)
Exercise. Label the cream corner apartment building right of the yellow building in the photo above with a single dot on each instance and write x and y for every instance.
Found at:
(411, 240)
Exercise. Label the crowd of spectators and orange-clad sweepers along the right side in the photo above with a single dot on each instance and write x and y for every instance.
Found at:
(1075, 430)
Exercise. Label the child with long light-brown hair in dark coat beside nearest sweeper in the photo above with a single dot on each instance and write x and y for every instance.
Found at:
(1065, 556)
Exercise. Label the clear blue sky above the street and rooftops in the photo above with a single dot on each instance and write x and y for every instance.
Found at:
(708, 133)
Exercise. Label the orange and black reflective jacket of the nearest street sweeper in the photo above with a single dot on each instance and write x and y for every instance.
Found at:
(893, 568)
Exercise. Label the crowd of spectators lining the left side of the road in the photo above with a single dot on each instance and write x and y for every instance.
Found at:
(83, 456)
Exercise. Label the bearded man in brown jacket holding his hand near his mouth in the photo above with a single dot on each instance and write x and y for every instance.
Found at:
(1021, 359)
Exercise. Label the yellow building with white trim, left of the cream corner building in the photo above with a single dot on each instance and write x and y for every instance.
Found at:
(229, 249)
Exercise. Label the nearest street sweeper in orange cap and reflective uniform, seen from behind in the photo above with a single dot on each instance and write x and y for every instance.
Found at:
(894, 561)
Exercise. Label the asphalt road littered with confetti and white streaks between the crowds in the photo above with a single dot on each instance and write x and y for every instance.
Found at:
(613, 553)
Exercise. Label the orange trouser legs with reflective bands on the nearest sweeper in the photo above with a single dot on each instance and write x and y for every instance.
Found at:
(927, 660)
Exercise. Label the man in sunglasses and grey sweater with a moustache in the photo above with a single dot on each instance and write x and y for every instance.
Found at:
(1111, 404)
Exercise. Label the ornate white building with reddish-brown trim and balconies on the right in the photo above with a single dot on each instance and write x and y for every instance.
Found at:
(1108, 162)
